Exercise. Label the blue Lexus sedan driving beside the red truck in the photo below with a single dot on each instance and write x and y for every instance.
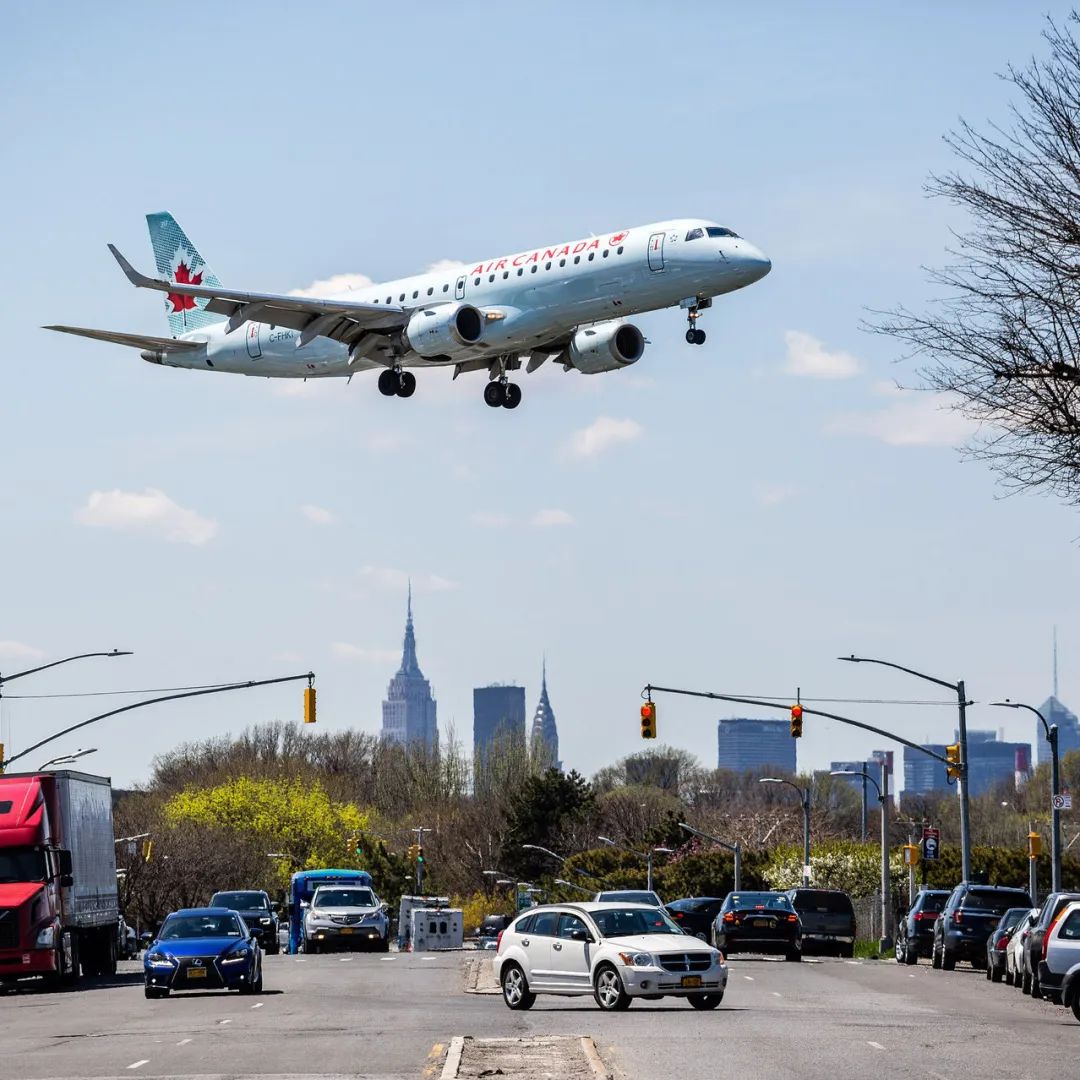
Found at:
(204, 949)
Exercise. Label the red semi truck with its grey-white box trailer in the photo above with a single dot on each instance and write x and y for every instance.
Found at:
(59, 903)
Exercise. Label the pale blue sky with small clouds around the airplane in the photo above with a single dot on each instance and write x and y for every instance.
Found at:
(724, 518)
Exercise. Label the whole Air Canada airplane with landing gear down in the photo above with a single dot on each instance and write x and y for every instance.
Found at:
(570, 303)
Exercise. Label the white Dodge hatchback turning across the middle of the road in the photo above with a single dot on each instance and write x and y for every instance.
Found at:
(615, 952)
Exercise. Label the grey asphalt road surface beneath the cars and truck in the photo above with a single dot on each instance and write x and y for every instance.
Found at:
(387, 1018)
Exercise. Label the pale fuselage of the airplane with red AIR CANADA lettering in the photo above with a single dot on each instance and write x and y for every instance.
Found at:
(528, 300)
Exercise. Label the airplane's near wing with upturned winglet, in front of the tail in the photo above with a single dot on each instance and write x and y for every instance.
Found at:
(342, 320)
